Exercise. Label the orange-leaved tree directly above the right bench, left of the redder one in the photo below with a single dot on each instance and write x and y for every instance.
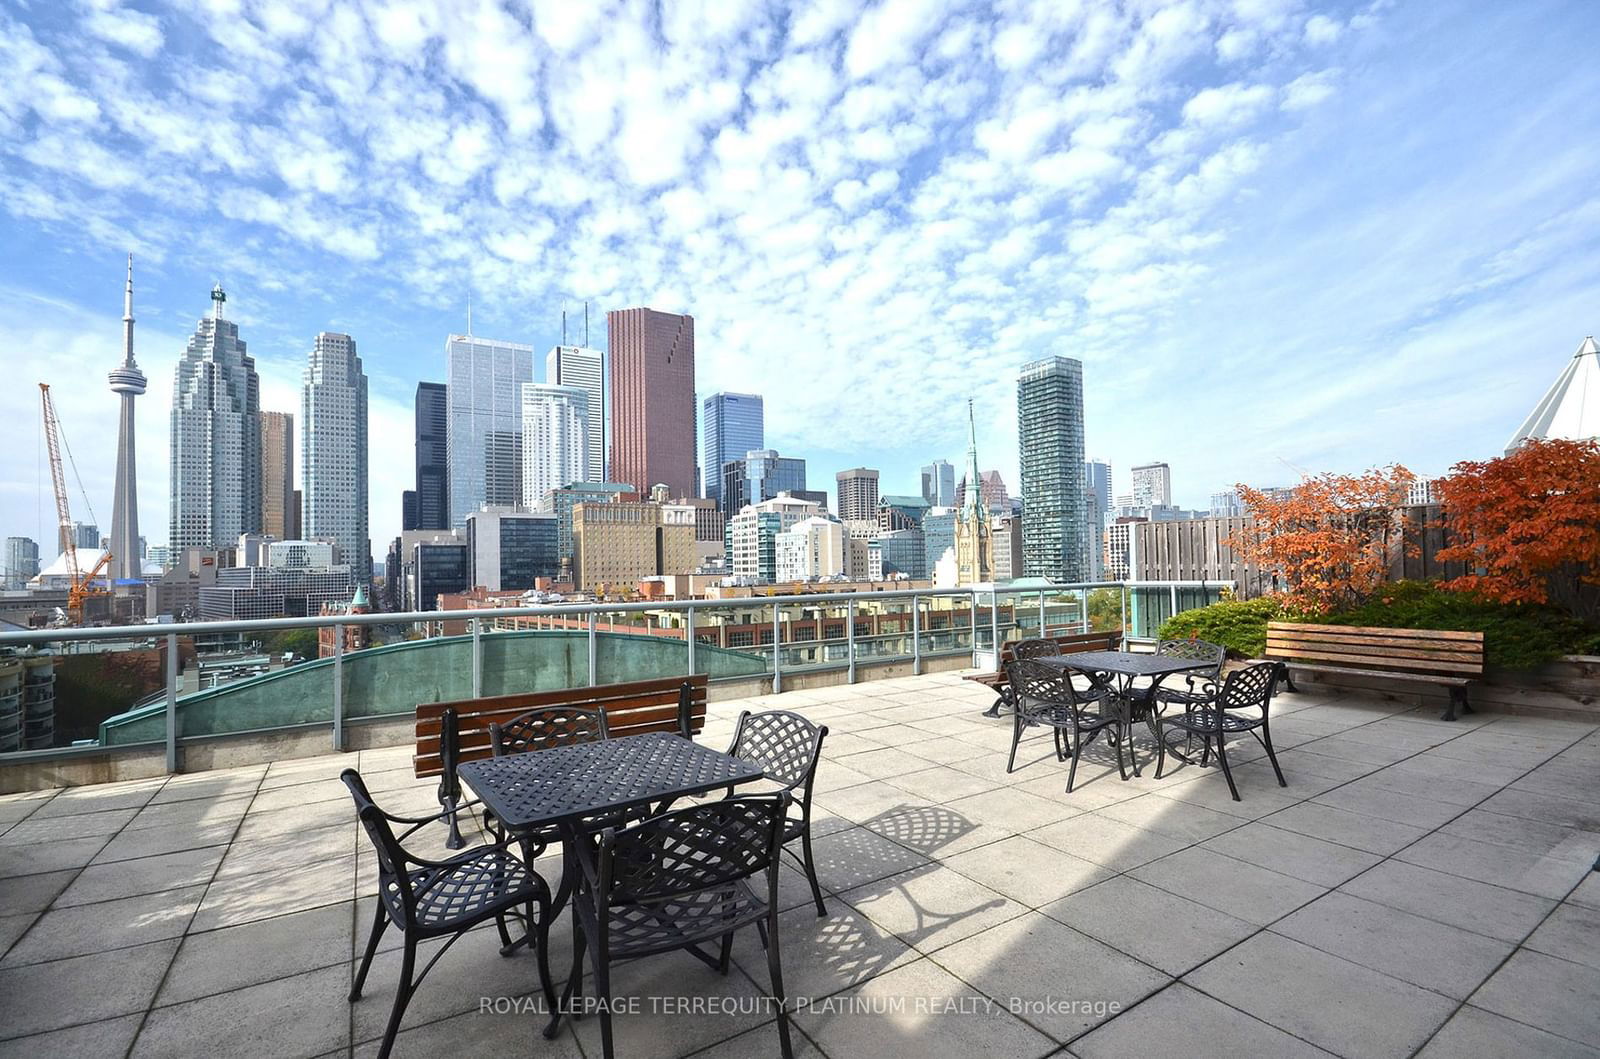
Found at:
(1329, 540)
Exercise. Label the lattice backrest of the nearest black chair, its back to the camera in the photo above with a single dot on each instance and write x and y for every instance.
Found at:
(692, 850)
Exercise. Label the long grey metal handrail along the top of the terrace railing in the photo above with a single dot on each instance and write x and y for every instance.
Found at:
(151, 631)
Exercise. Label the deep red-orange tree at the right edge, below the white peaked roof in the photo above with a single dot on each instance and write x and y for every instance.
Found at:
(1529, 526)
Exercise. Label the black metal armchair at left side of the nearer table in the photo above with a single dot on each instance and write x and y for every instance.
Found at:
(449, 898)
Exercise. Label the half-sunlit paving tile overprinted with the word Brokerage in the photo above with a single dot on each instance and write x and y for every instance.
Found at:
(1018, 964)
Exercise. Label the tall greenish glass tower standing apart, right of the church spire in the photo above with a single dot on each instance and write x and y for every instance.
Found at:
(1050, 449)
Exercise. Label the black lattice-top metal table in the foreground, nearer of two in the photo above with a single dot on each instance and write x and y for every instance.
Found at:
(572, 786)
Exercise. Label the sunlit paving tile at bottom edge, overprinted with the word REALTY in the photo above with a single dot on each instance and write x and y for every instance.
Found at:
(919, 1010)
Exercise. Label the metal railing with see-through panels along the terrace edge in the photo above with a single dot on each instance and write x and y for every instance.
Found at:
(169, 685)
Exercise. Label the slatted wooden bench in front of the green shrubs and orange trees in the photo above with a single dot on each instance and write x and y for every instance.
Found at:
(1452, 660)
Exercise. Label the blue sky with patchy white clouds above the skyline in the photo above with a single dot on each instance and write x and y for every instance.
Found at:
(1279, 234)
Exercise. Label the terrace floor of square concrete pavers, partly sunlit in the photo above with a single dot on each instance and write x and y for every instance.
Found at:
(1420, 889)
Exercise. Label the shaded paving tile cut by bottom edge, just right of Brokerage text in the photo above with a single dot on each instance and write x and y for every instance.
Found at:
(1175, 1020)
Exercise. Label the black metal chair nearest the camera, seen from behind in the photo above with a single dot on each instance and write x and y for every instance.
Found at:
(679, 881)
